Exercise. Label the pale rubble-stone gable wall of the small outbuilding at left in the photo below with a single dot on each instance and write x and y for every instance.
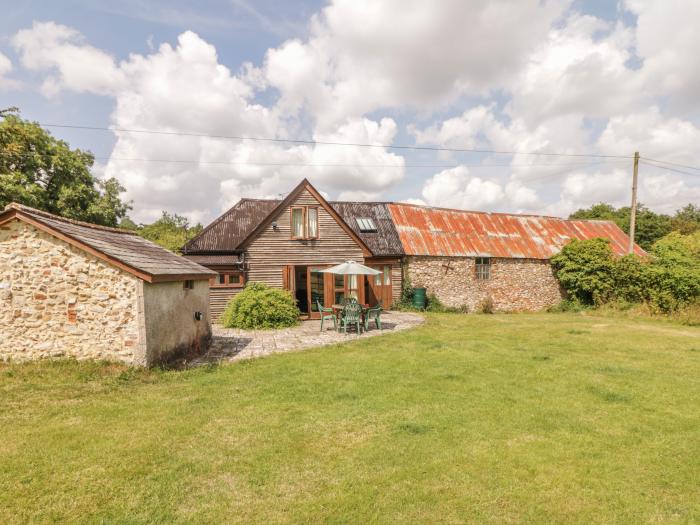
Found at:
(57, 300)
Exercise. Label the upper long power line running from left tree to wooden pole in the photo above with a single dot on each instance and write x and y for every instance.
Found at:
(331, 143)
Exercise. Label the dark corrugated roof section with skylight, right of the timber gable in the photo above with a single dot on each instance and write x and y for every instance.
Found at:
(385, 241)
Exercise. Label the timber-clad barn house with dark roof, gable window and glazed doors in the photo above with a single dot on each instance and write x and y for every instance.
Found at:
(286, 243)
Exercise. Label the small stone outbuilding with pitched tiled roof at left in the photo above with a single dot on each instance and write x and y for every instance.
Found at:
(74, 289)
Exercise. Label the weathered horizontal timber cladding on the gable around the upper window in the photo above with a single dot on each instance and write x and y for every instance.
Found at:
(272, 250)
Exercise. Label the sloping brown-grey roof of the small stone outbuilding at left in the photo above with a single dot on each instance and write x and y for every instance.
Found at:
(124, 248)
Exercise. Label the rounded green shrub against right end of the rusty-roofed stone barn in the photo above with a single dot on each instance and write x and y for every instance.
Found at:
(585, 269)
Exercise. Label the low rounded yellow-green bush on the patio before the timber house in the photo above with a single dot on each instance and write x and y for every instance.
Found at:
(259, 306)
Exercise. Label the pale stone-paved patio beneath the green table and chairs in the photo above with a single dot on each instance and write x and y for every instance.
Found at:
(233, 344)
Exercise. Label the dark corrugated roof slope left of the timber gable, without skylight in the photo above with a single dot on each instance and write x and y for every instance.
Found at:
(227, 232)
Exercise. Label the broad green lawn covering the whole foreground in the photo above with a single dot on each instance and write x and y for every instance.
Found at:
(532, 418)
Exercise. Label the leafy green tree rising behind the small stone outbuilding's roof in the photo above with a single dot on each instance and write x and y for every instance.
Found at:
(38, 170)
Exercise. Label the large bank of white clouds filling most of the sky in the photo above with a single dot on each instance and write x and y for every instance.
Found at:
(527, 76)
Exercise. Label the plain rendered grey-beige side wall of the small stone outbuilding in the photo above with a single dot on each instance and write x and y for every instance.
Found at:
(169, 323)
